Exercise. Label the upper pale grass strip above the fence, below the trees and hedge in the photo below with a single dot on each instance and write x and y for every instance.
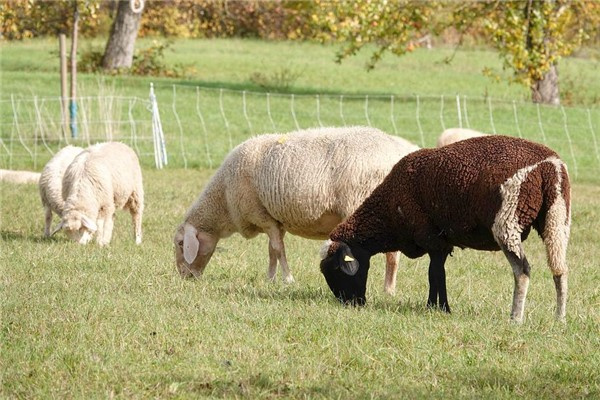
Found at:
(231, 63)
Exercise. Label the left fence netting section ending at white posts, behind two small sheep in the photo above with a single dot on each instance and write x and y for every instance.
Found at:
(32, 130)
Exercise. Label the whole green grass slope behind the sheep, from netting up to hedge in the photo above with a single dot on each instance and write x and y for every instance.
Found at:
(424, 90)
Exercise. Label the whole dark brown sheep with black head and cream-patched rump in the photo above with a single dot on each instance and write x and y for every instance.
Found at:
(484, 193)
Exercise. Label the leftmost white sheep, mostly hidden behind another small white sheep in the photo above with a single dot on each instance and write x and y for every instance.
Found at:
(50, 183)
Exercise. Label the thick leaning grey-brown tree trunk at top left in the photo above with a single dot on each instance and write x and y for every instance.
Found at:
(121, 42)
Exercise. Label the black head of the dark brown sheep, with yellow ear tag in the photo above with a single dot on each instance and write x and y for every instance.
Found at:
(345, 271)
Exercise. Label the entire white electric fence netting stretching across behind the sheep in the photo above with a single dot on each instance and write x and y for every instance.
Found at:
(196, 127)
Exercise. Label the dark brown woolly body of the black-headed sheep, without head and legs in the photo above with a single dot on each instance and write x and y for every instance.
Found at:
(434, 199)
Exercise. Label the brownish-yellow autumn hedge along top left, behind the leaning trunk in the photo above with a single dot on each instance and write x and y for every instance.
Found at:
(176, 18)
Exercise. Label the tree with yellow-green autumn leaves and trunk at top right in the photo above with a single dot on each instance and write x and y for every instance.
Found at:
(530, 36)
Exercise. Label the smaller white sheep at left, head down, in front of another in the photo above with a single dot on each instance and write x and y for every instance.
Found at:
(102, 179)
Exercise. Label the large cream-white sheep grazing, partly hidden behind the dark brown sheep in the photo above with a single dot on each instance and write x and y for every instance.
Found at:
(304, 182)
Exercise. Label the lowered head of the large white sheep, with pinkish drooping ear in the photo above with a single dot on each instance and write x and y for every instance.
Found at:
(193, 250)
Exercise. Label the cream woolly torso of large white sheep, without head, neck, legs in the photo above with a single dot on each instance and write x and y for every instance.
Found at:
(310, 180)
